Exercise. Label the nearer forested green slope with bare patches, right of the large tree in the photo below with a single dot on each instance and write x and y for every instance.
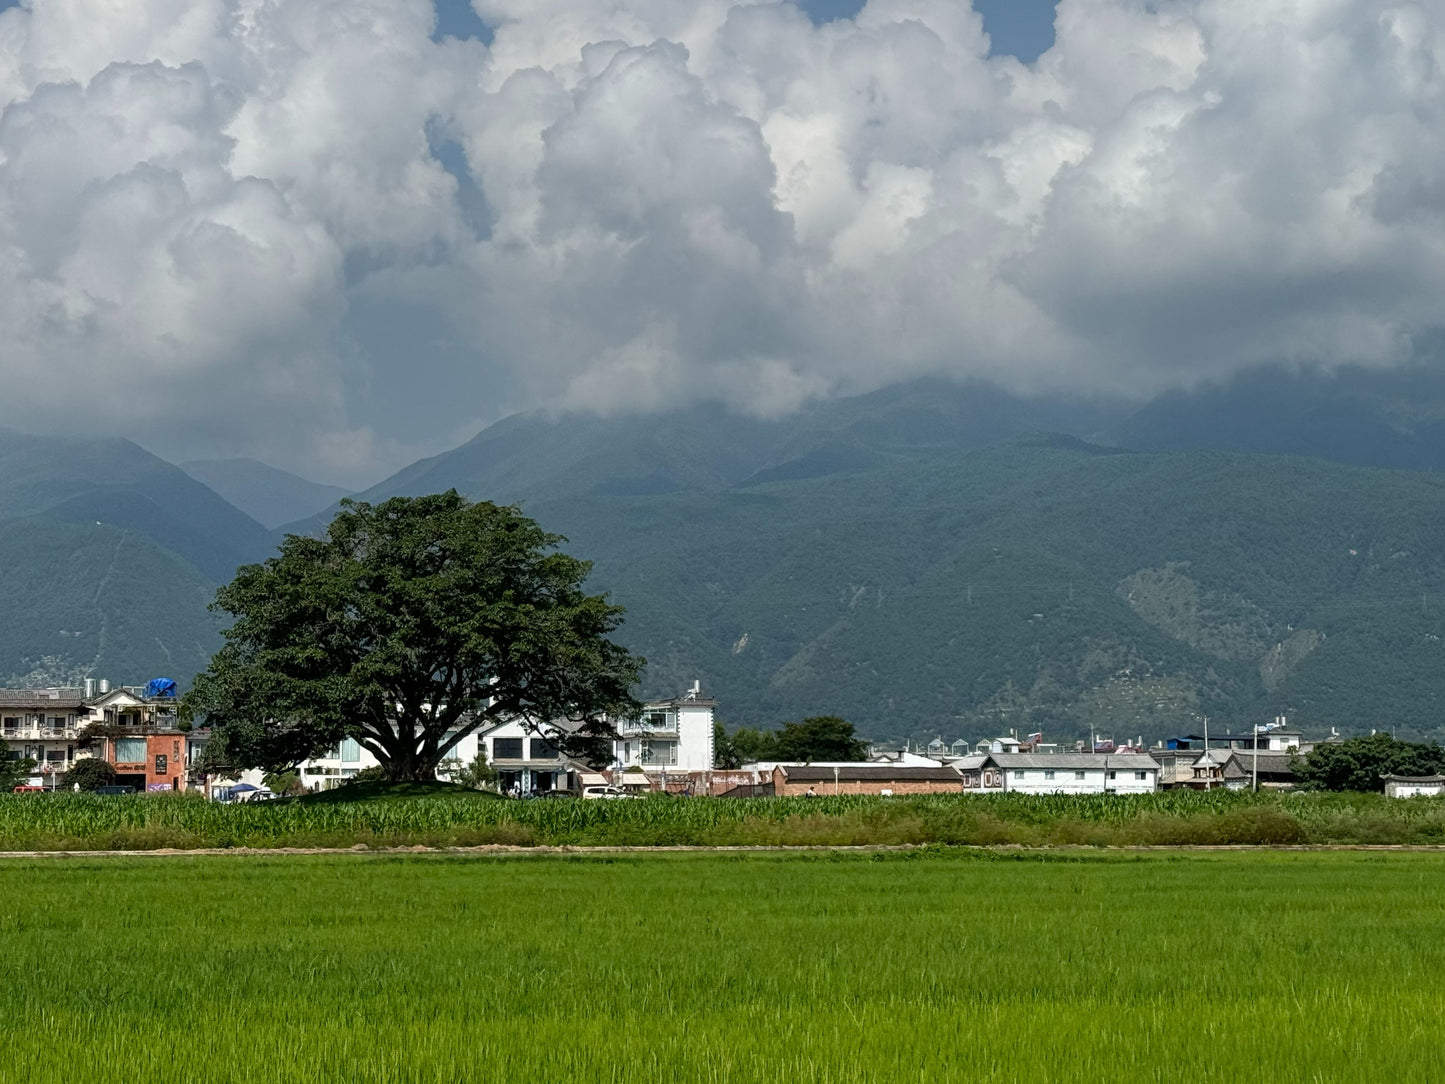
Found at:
(1041, 588)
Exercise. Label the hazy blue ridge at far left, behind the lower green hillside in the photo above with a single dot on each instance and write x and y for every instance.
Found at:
(118, 483)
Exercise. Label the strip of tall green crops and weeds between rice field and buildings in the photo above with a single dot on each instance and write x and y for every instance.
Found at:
(1187, 817)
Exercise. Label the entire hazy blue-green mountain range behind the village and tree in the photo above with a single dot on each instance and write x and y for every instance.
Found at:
(924, 560)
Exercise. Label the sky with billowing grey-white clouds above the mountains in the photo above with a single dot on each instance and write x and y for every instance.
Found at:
(342, 235)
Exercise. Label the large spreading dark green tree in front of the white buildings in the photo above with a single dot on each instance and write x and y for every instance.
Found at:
(408, 627)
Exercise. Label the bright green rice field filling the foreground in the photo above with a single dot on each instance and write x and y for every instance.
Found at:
(920, 966)
